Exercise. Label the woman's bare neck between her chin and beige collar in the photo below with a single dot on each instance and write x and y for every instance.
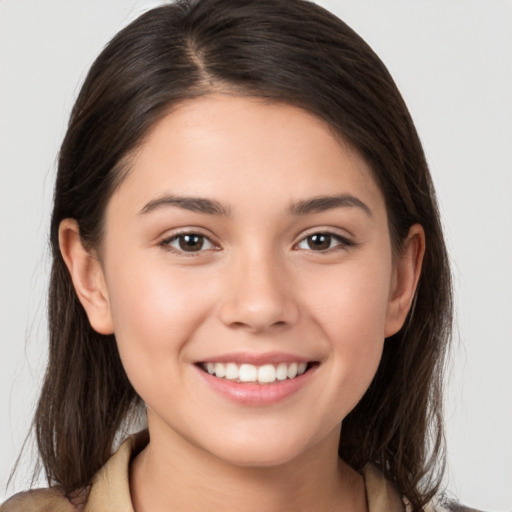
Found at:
(171, 474)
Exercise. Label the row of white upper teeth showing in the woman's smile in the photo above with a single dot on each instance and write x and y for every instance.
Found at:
(264, 374)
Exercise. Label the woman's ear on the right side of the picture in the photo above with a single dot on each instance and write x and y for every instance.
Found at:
(405, 279)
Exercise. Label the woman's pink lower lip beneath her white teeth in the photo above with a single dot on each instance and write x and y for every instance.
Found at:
(250, 393)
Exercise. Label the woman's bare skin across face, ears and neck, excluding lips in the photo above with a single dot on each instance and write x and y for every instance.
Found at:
(258, 285)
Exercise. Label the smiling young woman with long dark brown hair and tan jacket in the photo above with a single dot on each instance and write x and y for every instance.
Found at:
(247, 250)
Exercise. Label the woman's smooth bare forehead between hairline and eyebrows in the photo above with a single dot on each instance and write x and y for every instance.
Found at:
(237, 148)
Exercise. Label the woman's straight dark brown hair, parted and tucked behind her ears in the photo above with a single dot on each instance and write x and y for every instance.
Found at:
(285, 51)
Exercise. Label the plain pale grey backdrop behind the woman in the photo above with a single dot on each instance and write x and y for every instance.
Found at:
(452, 60)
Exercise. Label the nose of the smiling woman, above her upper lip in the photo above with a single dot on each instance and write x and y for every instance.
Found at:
(259, 296)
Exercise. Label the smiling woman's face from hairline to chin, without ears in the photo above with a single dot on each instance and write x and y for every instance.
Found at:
(249, 279)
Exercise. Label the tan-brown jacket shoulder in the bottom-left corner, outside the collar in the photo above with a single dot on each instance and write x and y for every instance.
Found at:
(45, 500)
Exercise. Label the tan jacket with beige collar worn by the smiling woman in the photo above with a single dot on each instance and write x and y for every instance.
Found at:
(110, 490)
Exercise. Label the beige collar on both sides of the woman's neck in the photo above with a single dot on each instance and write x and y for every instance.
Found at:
(110, 490)
